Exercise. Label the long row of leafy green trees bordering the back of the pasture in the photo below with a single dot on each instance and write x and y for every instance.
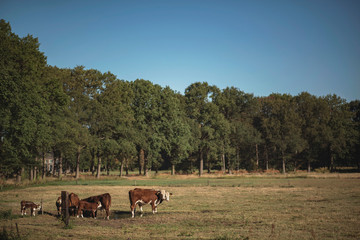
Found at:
(95, 122)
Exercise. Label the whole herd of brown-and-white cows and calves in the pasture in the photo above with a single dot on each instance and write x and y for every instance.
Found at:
(137, 196)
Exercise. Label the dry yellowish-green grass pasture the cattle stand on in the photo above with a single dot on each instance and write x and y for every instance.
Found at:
(252, 207)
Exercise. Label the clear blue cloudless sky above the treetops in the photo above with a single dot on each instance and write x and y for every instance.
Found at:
(257, 46)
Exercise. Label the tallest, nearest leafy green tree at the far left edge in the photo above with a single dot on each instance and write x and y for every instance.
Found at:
(25, 93)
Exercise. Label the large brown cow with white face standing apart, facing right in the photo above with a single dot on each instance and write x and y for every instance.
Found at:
(141, 197)
